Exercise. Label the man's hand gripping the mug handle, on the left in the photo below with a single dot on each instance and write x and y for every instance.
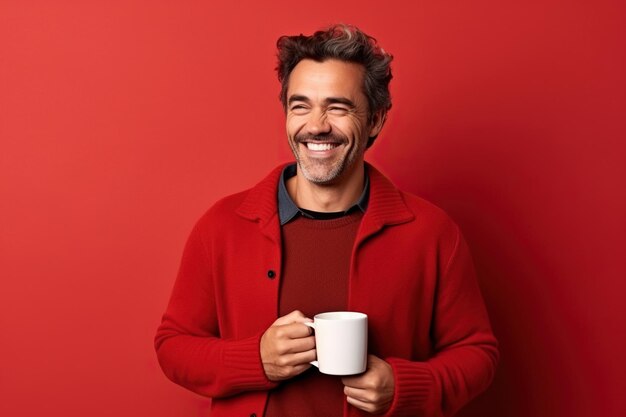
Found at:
(287, 347)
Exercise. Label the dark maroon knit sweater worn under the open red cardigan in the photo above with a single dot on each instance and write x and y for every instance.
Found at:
(316, 259)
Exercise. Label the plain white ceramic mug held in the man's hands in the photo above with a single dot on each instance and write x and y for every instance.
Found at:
(341, 342)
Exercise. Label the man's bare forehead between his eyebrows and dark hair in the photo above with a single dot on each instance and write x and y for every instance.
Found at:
(330, 78)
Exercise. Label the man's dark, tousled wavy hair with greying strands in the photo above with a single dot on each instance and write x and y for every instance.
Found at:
(345, 43)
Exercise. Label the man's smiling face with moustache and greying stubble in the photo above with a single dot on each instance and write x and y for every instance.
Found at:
(327, 119)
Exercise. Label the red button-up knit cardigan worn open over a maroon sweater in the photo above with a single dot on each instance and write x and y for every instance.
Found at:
(411, 273)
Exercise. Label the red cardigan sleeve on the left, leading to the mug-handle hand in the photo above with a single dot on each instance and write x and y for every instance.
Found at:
(188, 343)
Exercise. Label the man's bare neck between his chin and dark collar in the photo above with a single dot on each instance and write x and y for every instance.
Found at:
(327, 198)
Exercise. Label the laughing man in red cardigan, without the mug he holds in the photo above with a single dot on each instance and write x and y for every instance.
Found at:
(328, 233)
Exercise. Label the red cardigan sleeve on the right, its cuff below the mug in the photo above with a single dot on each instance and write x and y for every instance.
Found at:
(465, 349)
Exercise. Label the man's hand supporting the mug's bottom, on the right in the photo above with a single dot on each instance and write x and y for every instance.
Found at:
(373, 390)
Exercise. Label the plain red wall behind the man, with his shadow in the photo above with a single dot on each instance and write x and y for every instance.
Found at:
(122, 121)
